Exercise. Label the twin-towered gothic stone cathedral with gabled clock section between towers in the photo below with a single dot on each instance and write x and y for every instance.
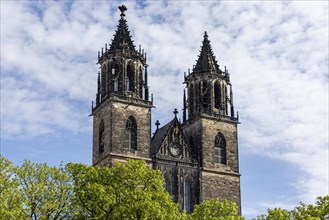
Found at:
(197, 155)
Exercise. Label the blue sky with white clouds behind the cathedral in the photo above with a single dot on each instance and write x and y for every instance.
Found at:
(276, 53)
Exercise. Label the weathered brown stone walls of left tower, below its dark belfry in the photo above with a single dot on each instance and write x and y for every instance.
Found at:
(114, 115)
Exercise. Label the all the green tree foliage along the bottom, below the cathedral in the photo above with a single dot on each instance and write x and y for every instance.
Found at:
(128, 190)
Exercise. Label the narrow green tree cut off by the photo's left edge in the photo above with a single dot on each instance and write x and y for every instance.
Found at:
(11, 205)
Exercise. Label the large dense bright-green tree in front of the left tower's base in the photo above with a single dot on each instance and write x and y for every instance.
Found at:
(126, 191)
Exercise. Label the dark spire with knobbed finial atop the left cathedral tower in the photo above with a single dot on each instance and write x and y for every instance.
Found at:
(122, 38)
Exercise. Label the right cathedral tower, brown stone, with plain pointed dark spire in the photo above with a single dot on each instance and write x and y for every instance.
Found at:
(211, 127)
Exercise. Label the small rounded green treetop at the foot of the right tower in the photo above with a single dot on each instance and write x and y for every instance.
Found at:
(216, 210)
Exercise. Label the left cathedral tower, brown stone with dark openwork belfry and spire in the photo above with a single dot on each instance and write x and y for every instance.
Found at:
(122, 114)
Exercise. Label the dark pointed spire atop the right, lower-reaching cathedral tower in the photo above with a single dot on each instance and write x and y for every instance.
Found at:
(206, 61)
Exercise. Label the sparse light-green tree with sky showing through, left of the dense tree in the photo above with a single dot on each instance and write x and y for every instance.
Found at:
(46, 191)
